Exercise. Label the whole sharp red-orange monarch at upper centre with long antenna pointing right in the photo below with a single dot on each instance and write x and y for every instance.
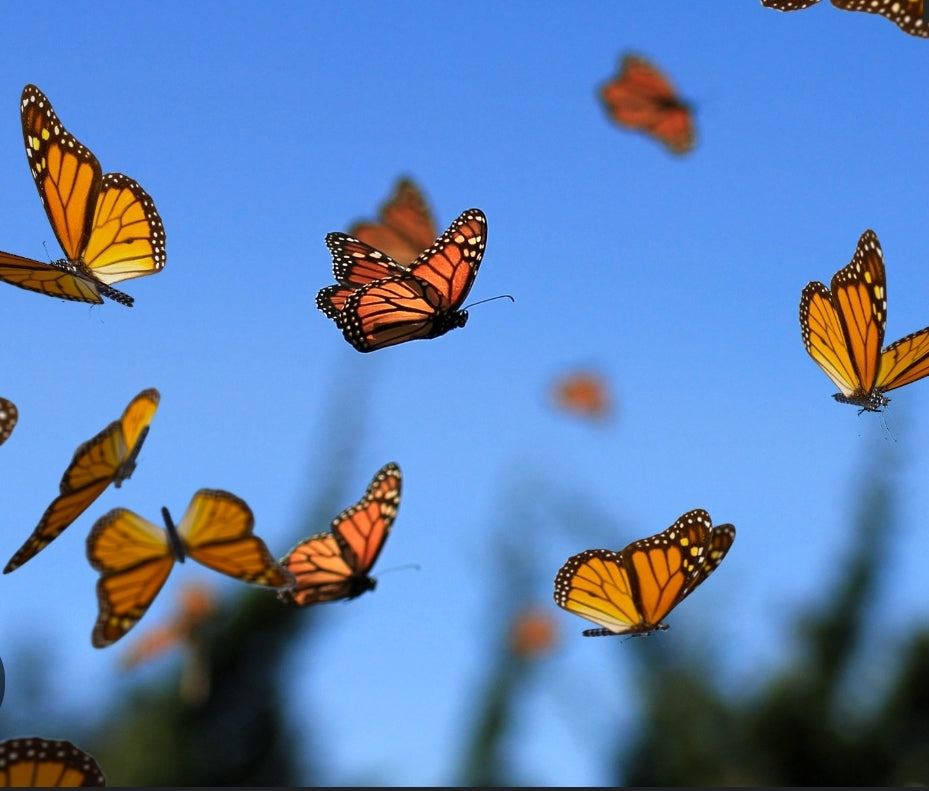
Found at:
(379, 302)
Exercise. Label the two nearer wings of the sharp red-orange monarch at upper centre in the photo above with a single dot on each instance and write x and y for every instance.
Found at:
(423, 303)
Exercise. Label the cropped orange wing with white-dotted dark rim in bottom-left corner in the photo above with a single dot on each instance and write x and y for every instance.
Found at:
(44, 763)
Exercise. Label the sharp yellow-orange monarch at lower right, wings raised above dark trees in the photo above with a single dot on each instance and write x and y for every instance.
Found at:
(630, 591)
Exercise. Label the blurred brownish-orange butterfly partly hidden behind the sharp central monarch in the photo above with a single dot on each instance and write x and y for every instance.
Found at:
(405, 228)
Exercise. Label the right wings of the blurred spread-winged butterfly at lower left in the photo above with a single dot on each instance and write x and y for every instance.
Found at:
(216, 531)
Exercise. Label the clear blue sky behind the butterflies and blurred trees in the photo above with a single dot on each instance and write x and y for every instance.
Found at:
(259, 130)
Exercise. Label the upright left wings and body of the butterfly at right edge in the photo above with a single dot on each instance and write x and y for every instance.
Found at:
(843, 330)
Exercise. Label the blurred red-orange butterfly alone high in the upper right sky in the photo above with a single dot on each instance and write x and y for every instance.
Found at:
(640, 97)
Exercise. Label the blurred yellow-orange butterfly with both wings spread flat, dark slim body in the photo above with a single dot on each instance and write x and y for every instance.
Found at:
(135, 557)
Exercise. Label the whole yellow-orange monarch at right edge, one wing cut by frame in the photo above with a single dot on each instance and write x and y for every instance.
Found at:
(843, 331)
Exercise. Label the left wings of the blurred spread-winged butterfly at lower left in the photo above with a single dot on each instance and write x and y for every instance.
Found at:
(134, 558)
